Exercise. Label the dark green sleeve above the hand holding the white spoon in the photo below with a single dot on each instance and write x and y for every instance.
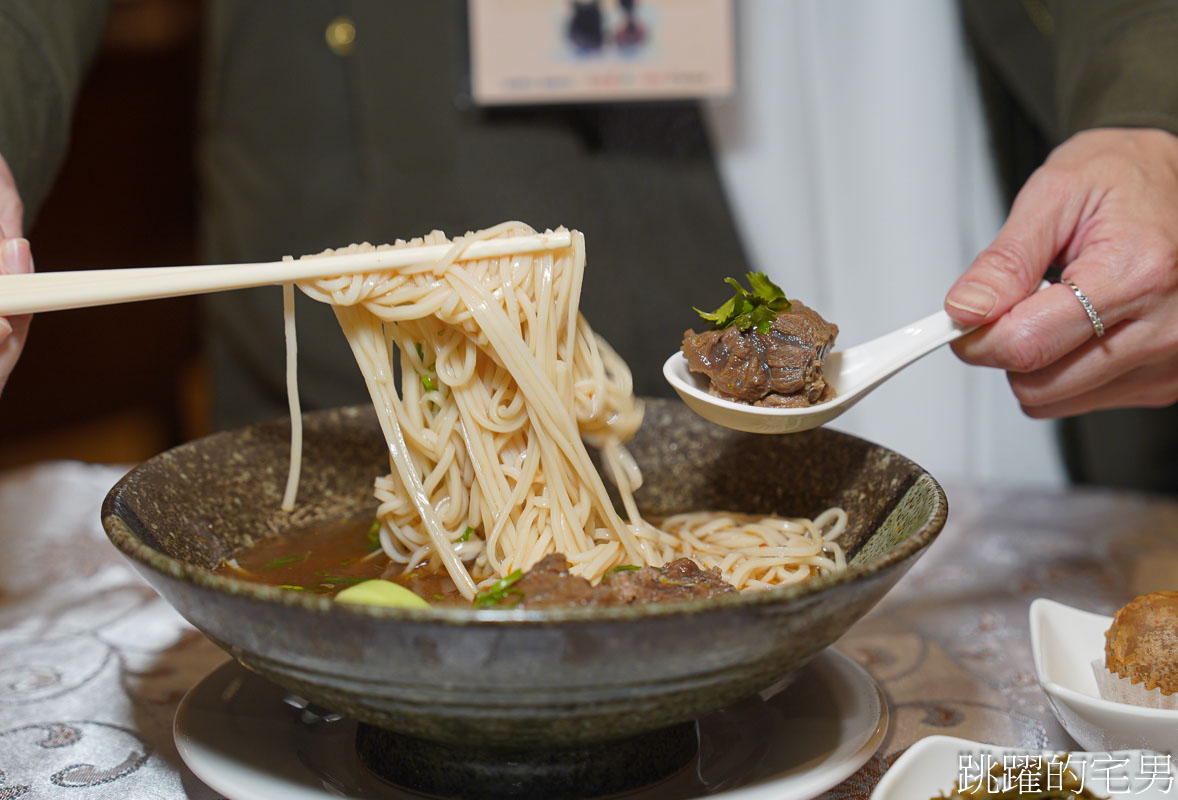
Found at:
(1116, 64)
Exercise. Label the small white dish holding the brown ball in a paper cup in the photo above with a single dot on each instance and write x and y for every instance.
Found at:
(1064, 643)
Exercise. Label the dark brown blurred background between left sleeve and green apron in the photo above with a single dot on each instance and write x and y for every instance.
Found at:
(120, 384)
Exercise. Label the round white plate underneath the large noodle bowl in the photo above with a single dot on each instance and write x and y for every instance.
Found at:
(239, 733)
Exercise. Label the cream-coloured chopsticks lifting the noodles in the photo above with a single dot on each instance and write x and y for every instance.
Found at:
(56, 292)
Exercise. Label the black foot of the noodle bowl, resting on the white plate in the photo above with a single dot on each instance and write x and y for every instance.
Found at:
(448, 771)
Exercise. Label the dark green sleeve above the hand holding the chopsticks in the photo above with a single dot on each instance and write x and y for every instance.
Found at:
(45, 49)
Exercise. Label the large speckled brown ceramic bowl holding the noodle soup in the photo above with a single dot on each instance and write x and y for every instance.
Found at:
(542, 678)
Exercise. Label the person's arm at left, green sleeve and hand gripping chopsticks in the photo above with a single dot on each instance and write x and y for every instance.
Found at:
(45, 49)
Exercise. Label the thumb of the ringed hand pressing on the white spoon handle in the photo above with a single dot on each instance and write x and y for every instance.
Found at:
(1042, 221)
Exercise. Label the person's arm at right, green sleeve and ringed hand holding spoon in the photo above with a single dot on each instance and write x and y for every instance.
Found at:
(1104, 207)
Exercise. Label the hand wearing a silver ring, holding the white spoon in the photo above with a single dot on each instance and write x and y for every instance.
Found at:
(1106, 208)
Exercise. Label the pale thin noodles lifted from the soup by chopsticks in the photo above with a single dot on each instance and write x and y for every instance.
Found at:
(501, 385)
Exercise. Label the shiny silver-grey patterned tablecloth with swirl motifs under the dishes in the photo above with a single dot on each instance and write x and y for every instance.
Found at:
(92, 664)
